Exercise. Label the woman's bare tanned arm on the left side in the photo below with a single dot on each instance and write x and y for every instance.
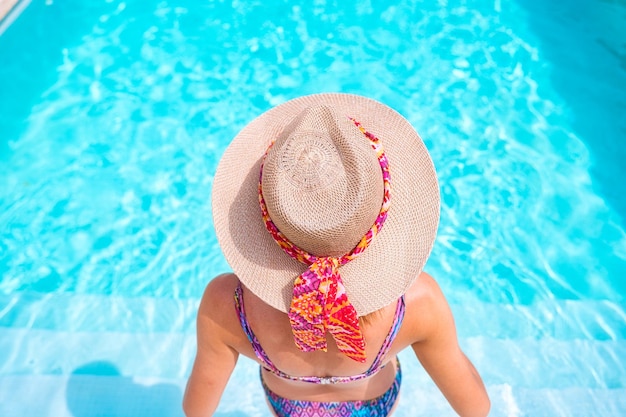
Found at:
(215, 358)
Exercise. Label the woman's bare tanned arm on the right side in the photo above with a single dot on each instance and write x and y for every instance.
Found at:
(441, 356)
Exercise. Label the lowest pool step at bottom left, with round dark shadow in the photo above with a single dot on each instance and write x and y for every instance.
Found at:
(102, 389)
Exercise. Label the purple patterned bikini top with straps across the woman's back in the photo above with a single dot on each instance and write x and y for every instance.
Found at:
(269, 365)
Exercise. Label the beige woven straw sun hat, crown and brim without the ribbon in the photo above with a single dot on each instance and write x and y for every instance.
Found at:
(323, 188)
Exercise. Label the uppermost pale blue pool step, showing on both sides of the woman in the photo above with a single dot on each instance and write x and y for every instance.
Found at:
(559, 319)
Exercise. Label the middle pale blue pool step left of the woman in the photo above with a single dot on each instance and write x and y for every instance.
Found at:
(49, 352)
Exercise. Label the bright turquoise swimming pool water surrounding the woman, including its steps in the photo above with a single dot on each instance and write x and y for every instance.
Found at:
(114, 114)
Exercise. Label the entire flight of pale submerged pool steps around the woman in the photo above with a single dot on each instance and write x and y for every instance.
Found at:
(565, 357)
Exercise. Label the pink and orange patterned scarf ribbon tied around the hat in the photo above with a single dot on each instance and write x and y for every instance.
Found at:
(320, 303)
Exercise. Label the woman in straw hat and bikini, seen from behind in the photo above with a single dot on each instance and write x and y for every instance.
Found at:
(326, 207)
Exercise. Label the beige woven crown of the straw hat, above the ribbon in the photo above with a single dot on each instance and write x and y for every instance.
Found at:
(322, 182)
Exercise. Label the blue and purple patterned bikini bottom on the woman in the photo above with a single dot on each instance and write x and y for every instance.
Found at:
(379, 406)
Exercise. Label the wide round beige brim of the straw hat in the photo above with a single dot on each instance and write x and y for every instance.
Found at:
(396, 256)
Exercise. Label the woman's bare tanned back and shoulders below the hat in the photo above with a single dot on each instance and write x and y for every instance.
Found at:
(273, 331)
